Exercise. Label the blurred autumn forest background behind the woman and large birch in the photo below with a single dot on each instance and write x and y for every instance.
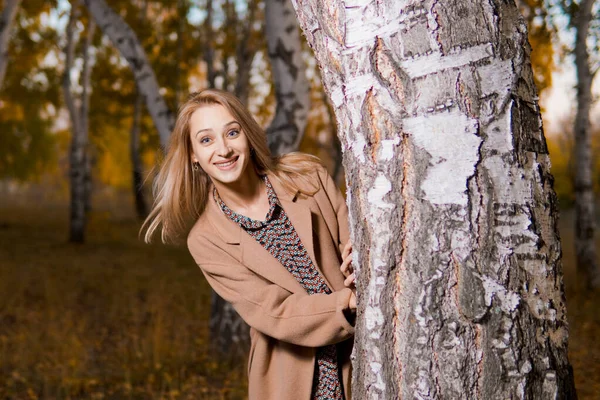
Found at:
(87, 309)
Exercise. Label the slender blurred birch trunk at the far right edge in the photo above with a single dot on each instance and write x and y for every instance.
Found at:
(585, 218)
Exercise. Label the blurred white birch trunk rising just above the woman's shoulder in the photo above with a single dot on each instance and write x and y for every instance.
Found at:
(292, 90)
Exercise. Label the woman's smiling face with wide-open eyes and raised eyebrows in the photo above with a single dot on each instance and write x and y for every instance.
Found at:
(219, 145)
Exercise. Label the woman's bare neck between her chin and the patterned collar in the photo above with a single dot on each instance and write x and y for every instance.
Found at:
(244, 194)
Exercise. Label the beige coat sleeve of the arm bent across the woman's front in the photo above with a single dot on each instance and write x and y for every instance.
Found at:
(312, 321)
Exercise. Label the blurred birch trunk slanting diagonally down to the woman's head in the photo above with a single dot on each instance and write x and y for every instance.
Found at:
(125, 39)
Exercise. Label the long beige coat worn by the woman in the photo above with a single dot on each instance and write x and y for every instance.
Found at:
(286, 324)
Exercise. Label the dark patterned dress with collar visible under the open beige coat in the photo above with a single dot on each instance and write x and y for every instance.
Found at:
(278, 236)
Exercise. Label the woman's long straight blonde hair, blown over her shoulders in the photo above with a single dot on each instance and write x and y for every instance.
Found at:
(181, 194)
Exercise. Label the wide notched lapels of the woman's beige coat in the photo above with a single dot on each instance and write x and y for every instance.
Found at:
(253, 255)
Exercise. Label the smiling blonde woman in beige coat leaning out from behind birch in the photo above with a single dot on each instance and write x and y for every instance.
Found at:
(270, 234)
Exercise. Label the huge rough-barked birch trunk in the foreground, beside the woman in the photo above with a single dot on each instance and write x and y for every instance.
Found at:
(452, 209)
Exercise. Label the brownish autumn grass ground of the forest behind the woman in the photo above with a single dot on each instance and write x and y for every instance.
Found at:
(118, 319)
